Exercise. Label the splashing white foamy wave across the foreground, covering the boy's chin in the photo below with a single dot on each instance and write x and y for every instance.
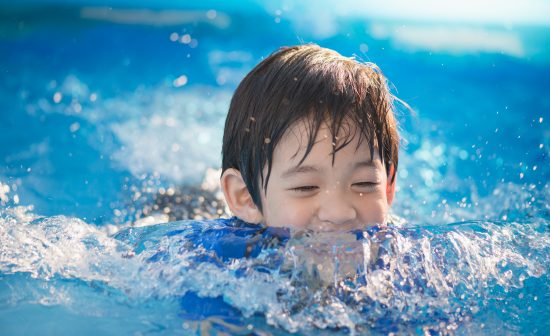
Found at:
(437, 278)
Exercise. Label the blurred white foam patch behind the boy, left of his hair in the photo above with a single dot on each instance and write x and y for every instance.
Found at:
(190, 120)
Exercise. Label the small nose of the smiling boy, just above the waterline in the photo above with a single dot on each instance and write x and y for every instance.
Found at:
(336, 209)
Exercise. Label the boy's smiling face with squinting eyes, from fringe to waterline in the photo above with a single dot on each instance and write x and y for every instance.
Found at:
(320, 195)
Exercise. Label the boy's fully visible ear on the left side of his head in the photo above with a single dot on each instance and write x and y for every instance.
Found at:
(238, 198)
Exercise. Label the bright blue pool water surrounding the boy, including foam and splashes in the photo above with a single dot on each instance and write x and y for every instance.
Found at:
(111, 122)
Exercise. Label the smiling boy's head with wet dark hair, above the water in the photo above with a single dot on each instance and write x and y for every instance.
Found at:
(311, 143)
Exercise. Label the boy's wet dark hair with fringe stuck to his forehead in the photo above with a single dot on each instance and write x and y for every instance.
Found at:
(311, 84)
